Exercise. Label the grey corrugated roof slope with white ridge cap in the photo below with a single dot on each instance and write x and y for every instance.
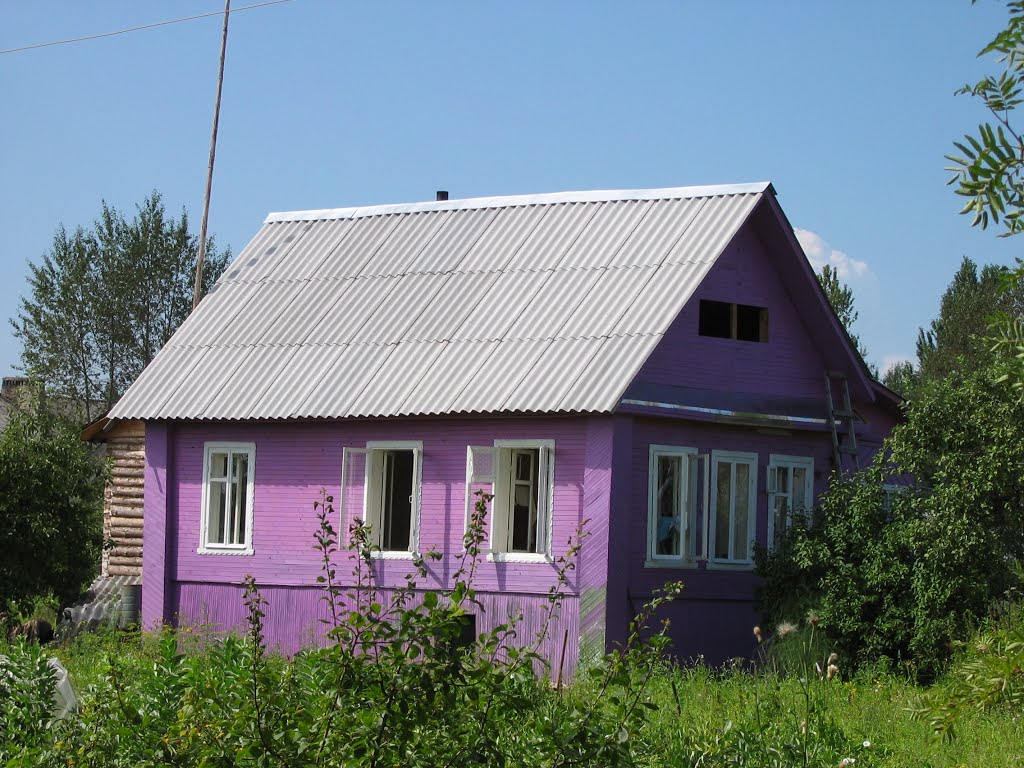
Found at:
(538, 304)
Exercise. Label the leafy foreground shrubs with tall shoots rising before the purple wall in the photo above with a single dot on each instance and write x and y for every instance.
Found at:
(394, 688)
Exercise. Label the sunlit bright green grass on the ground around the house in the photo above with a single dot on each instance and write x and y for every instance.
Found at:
(695, 707)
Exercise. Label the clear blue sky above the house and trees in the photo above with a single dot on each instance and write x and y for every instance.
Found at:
(847, 108)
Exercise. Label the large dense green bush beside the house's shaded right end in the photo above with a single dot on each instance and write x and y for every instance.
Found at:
(902, 580)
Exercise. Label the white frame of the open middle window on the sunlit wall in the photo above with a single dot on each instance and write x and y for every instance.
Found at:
(372, 482)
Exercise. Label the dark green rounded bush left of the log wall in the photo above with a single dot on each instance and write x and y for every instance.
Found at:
(52, 489)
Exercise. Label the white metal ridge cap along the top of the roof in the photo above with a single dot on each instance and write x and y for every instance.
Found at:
(594, 196)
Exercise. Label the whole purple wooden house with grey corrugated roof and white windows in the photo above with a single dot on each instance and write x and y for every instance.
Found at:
(661, 363)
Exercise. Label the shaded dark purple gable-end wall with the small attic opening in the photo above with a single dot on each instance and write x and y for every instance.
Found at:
(716, 616)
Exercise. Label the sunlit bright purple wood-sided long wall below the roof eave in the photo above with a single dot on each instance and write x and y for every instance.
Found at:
(295, 461)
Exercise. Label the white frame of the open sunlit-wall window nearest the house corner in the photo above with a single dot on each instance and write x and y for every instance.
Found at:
(501, 467)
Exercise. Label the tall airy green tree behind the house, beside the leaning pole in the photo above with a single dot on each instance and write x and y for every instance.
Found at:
(105, 301)
